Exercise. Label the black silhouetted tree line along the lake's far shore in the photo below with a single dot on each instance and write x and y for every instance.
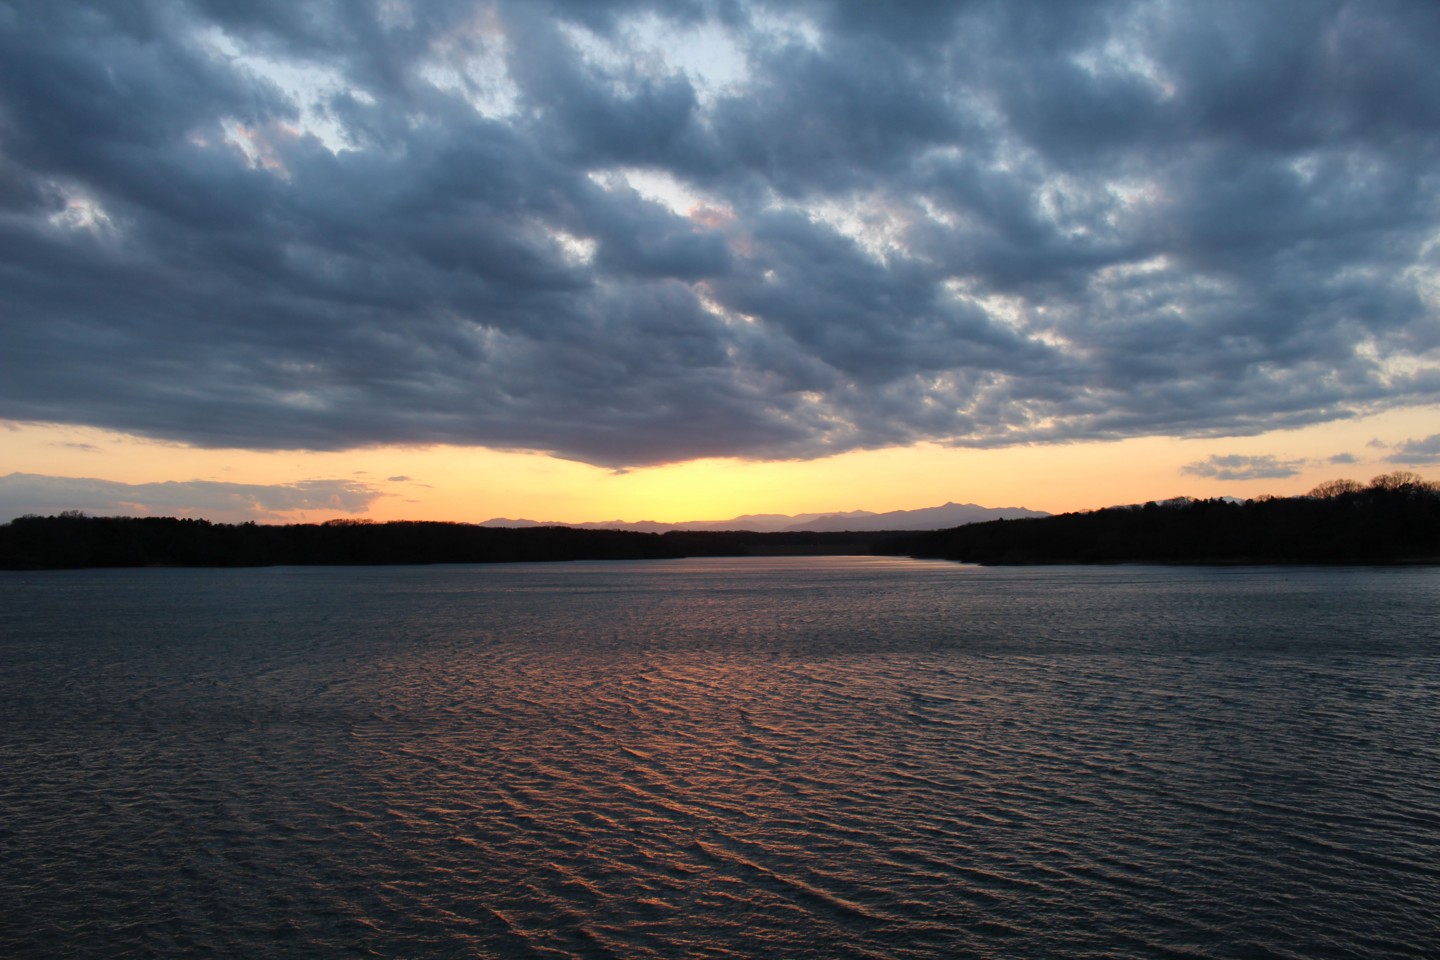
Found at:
(1395, 519)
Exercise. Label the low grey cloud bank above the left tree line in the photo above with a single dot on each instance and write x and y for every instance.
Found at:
(228, 503)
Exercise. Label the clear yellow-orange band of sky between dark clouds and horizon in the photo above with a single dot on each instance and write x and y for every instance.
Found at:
(474, 484)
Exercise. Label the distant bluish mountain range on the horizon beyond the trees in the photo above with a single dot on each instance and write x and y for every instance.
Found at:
(855, 520)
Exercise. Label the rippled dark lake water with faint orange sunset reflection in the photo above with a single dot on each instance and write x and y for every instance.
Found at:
(790, 758)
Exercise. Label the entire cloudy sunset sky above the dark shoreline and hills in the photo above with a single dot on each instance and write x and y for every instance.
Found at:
(578, 261)
